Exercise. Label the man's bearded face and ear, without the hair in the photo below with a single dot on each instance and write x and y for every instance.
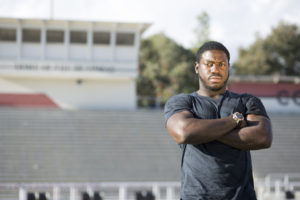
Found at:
(213, 70)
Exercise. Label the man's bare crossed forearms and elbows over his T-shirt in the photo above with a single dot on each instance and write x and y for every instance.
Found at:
(255, 134)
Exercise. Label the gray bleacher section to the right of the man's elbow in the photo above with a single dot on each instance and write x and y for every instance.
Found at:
(284, 154)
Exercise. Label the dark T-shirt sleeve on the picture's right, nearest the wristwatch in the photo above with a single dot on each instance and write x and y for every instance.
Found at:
(255, 106)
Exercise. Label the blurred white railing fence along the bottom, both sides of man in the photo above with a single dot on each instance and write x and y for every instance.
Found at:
(272, 187)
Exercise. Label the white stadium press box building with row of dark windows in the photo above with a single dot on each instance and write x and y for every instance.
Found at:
(69, 64)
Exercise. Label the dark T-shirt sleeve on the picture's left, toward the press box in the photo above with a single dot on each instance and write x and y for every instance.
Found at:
(176, 104)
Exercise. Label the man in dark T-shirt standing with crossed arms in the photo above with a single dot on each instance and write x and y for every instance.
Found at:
(216, 129)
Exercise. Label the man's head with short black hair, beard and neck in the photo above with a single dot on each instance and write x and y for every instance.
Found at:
(212, 67)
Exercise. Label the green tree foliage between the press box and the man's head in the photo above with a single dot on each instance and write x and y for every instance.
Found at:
(165, 69)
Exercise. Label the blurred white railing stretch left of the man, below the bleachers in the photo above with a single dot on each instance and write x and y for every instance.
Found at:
(90, 191)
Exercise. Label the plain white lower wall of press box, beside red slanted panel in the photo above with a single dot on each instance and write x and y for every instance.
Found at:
(88, 94)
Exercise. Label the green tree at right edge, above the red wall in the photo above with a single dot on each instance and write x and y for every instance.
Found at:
(278, 53)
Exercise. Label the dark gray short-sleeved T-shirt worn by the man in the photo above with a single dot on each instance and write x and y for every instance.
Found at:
(214, 170)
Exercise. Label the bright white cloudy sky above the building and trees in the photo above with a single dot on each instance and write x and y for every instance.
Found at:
(235, 23)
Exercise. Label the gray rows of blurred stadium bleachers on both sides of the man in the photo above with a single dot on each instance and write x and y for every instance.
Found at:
(63, 146)
